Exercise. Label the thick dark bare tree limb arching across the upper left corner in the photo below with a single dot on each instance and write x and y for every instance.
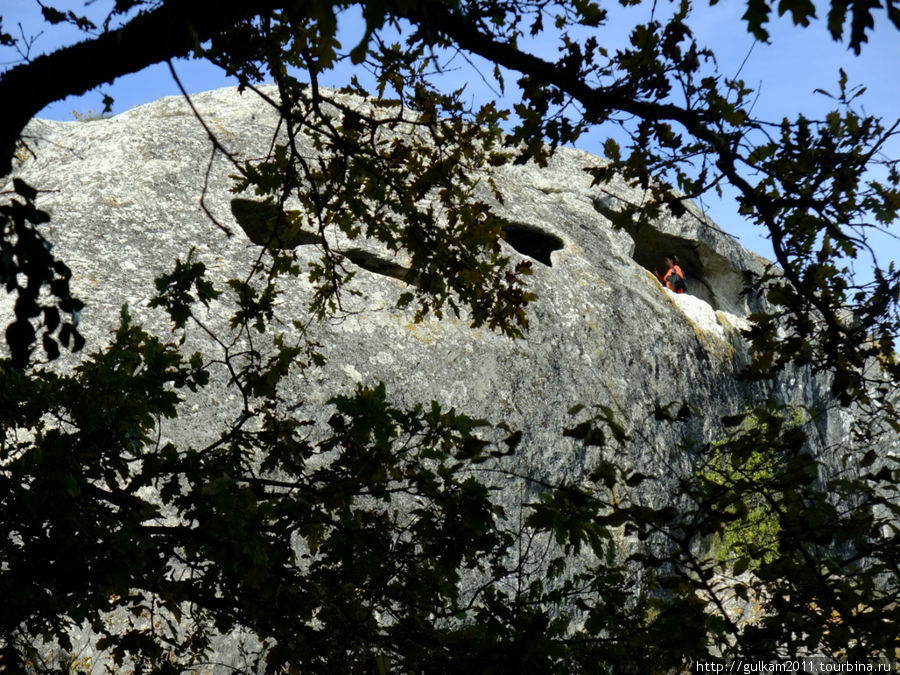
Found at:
(172, 30)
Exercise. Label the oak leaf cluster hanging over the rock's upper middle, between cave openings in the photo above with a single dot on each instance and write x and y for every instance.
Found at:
(395, 159)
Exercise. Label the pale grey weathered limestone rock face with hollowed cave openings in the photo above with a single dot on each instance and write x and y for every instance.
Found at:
(125, 199)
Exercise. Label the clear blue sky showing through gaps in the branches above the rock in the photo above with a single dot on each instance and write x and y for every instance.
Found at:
(785, 72)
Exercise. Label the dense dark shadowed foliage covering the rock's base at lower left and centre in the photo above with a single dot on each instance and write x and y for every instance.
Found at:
(372, 546)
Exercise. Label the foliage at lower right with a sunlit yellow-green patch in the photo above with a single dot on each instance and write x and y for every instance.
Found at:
(809, 537)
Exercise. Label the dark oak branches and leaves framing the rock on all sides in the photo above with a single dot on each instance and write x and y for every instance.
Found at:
(265, 540)
